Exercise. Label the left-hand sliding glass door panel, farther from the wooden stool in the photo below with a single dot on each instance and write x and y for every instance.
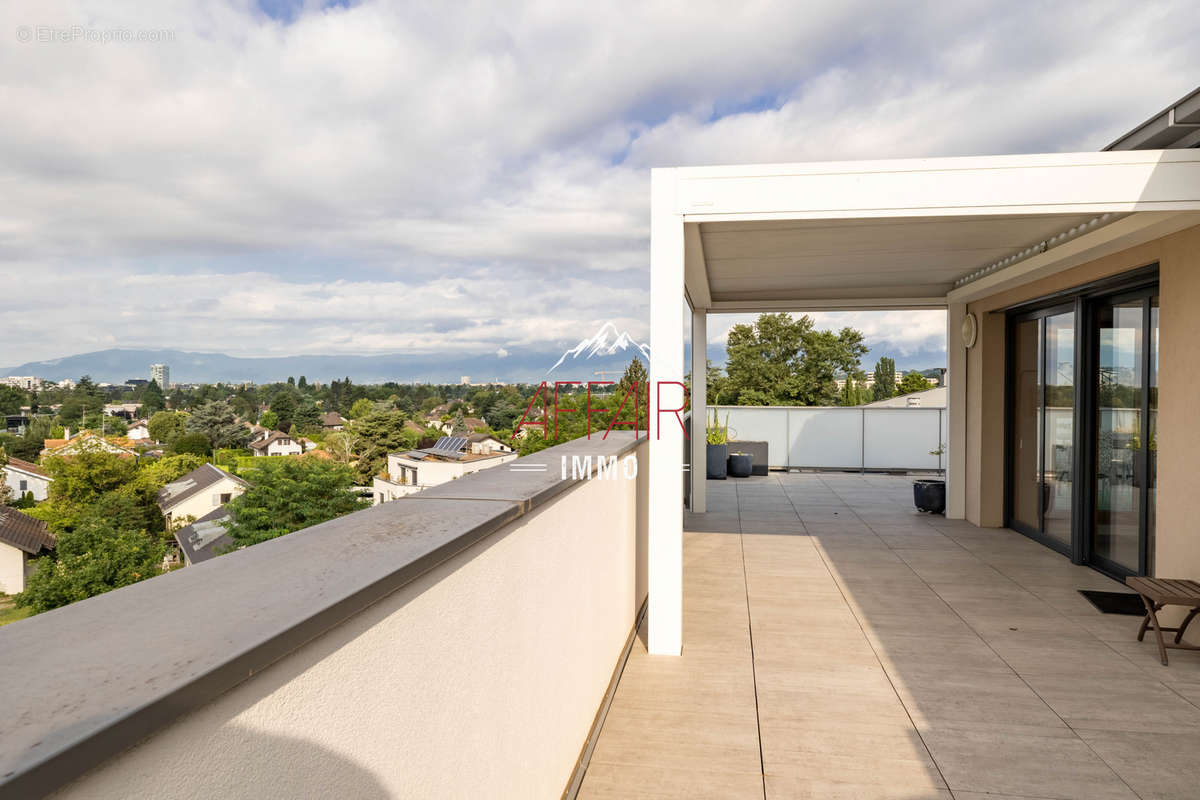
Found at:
(1042, 426)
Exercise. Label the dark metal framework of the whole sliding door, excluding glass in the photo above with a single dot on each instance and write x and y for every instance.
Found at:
(1084, 300)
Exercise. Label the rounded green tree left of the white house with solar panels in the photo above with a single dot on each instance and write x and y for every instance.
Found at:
(290, 495)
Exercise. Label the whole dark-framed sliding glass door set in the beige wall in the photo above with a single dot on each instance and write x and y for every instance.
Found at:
(1082, 419)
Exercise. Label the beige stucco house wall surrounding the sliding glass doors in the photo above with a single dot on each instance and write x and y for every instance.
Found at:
(1178, 552)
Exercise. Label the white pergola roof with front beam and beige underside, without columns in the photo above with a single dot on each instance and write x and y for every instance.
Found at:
(920, 233)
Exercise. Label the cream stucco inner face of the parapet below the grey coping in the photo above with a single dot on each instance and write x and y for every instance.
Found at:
(482, 679)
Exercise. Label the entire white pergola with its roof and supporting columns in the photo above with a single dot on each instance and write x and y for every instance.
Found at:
(923, 233)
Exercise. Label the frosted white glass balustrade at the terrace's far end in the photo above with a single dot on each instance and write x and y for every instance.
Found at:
(843, 438)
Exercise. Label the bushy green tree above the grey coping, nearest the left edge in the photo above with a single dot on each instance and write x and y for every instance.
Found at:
(95, 557)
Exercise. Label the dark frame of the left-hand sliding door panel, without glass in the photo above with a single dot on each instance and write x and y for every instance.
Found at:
(1039, 536)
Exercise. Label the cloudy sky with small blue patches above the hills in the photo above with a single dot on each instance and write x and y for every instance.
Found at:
(284, 178)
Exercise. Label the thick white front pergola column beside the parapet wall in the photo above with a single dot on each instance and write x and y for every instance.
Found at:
(667, 436)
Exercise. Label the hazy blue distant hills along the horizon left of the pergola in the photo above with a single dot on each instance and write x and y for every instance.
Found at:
(119, 365)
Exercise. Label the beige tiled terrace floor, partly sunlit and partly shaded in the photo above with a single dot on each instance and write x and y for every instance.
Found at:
(841, 645)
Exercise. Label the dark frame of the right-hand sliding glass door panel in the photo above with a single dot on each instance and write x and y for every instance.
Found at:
(1145, 293)
